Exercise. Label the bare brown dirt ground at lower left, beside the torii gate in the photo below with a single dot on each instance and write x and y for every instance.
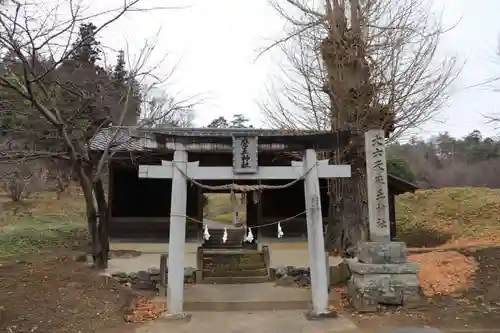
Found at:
(56, 294)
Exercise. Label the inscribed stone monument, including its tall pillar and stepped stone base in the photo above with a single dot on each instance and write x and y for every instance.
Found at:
(380, 273)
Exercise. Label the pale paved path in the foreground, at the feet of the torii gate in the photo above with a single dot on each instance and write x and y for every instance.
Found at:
(262, 322)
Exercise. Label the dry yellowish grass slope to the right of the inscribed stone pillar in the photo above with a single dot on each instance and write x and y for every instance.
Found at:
(435, 217)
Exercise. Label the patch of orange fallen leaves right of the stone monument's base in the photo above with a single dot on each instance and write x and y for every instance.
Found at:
(445, 273)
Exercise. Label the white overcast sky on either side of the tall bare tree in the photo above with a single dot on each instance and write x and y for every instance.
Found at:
(216, 43)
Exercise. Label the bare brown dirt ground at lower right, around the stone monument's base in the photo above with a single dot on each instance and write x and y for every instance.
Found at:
(476, 307)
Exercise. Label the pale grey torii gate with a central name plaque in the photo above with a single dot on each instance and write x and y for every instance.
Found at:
(245, 166)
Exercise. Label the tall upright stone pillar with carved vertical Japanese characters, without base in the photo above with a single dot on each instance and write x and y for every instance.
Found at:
(378, 193)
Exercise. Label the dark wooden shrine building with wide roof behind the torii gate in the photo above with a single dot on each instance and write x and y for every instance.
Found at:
(139, 208)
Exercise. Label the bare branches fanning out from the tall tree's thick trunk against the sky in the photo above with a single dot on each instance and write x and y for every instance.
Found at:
(400, 40)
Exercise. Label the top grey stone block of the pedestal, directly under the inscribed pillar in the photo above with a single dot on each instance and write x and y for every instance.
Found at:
(382, 253)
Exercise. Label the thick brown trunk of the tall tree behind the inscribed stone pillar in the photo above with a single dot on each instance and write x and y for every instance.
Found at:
(350, 92)
